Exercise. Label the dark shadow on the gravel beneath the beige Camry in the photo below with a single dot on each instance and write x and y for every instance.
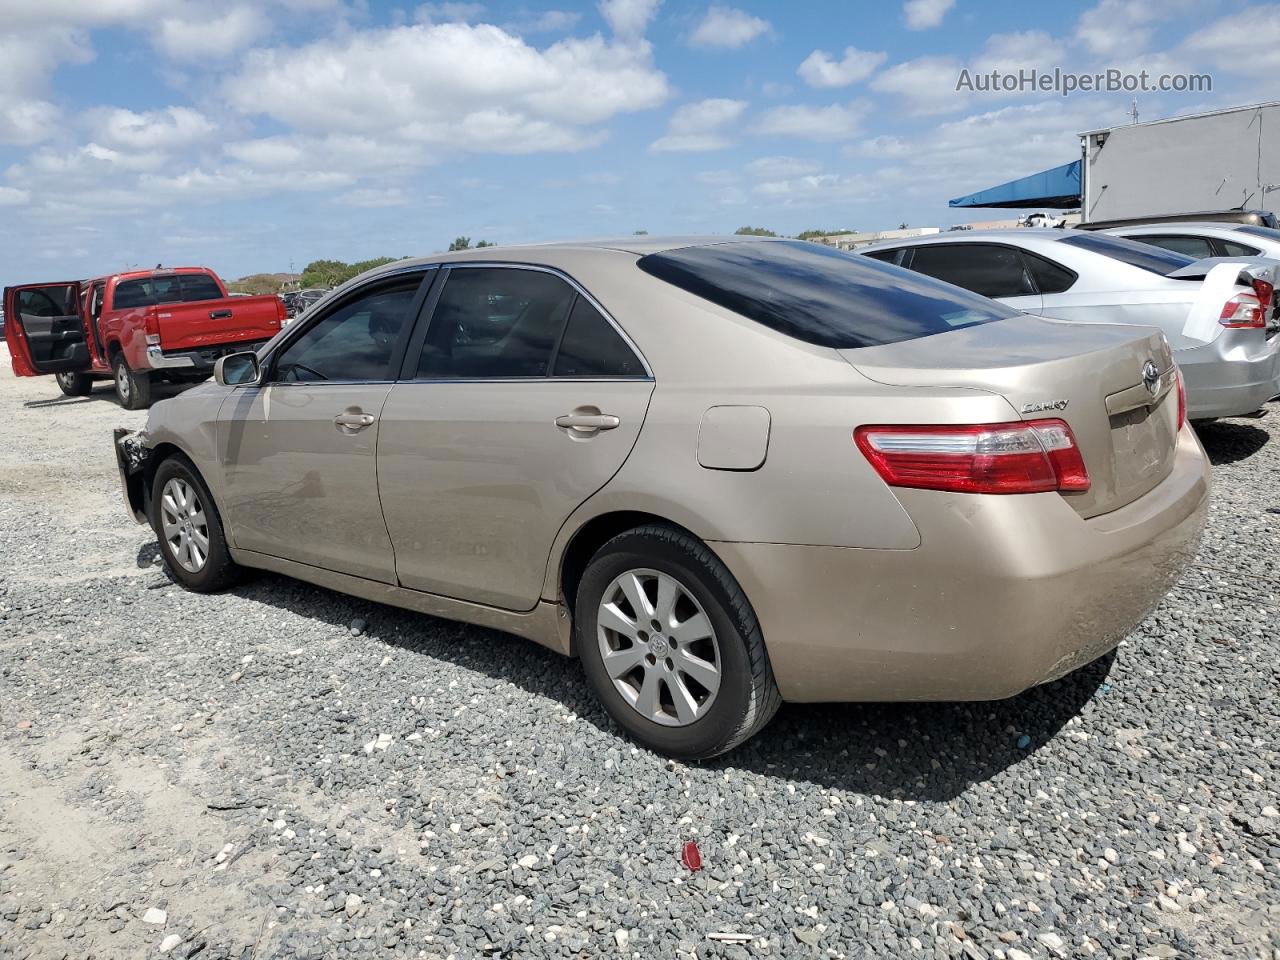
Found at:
(913, 752)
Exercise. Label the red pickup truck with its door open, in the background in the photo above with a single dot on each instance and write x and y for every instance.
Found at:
(170, 323)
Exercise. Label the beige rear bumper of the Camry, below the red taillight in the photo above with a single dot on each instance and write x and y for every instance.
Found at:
(1004, 593)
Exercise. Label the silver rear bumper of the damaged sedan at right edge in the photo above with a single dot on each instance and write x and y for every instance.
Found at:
(1232, 376)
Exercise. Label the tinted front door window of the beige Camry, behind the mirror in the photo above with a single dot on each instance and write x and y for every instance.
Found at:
(354, 342)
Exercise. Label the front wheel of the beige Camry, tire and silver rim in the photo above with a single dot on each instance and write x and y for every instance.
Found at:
(190, 529)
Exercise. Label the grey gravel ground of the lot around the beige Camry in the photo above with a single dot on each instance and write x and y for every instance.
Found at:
(241, 776)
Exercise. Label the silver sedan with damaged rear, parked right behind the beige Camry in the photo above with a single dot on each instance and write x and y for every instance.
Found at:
(1218, 314)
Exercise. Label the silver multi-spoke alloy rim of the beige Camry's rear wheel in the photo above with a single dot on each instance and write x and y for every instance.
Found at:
(659, 647)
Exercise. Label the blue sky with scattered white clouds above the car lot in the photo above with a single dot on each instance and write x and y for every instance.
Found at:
(260, 135)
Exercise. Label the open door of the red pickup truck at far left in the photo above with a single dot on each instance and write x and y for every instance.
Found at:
(45, 328)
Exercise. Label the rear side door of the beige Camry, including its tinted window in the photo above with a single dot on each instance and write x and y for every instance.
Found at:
(519, 400)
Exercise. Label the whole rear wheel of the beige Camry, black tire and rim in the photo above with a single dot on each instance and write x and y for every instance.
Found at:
(671, 646)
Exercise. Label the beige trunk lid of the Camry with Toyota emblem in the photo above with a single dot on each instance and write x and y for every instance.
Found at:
(1091, 376)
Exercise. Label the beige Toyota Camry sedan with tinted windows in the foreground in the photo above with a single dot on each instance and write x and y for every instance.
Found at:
(724, 473)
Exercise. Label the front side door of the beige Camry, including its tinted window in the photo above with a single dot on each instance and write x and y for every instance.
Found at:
(299, 450)
